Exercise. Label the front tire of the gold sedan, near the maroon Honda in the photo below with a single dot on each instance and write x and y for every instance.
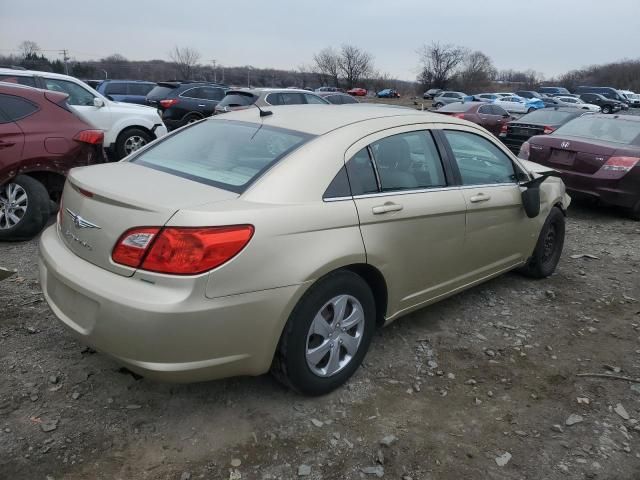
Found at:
(548, 249)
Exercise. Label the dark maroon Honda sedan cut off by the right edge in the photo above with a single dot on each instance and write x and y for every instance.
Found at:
(597, 155)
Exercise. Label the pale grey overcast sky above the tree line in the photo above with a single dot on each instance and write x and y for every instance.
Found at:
(549, 36)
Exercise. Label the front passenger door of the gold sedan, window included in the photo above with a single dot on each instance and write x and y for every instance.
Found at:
(498, 235)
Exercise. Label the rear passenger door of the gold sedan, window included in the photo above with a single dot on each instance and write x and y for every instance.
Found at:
(411, 216)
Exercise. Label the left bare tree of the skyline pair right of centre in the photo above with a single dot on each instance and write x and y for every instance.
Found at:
(439, 62)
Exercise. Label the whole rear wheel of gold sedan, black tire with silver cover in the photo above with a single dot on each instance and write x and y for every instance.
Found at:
(327, 335)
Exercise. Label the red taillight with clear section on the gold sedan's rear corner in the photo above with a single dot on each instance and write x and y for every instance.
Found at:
(181, 250)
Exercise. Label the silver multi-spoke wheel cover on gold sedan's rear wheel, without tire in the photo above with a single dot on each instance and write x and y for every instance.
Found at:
(335, 335)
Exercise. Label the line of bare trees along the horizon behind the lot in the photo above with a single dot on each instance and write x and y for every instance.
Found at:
(443, 66)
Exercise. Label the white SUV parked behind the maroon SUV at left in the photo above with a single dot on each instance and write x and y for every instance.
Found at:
(126, 126)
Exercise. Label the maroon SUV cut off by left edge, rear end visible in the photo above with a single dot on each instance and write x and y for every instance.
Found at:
(40, 140)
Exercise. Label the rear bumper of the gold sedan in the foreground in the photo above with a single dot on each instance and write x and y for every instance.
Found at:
(170, 334)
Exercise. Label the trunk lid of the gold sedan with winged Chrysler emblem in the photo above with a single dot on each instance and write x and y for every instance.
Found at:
(100, 203)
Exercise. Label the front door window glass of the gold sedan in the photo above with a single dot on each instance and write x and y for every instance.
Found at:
(480, 161)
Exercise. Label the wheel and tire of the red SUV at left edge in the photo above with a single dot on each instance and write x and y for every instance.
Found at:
(32, 209)
